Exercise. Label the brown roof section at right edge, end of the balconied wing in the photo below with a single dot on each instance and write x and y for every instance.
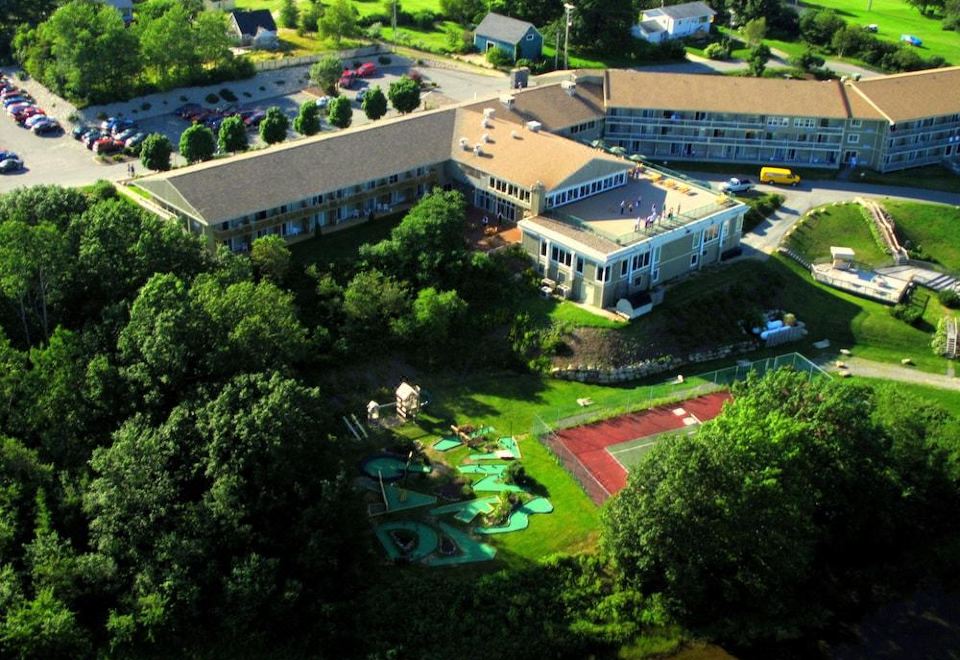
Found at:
(913, 95)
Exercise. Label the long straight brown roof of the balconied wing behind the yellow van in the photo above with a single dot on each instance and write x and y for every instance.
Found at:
(734, 94)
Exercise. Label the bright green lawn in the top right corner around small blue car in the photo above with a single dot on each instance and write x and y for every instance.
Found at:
(896, 17)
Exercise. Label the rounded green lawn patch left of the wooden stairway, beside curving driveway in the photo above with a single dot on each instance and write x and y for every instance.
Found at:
(844, 226)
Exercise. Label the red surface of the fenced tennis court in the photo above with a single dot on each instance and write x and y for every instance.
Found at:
(589, 443)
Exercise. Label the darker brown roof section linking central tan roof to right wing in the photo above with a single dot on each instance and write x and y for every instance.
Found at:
(550, 105)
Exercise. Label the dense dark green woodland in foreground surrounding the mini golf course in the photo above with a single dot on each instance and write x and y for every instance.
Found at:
(172, 483)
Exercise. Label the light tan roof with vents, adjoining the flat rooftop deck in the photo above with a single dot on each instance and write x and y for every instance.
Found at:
(525, 157)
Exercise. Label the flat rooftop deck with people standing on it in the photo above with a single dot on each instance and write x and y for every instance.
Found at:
(647, 206)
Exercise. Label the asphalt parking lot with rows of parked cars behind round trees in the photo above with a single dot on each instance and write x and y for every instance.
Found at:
(64, 161)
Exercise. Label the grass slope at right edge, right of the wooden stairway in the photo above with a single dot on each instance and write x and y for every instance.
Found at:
(932, 227)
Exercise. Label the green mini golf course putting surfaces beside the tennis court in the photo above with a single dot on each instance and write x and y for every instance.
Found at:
(434, 542)
